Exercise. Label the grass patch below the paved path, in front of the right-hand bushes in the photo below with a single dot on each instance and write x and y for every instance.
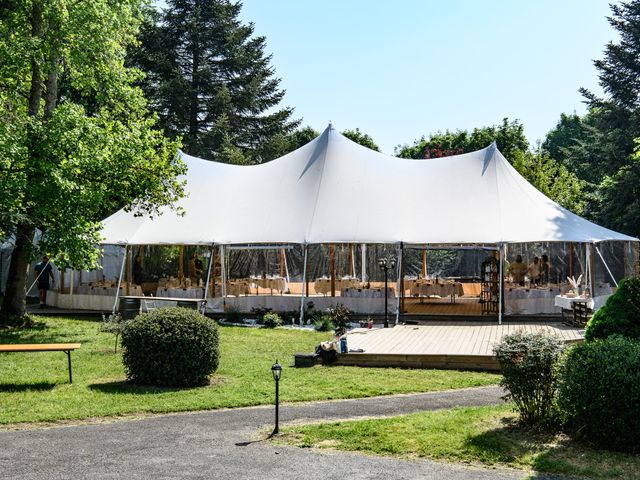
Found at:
(478, 435)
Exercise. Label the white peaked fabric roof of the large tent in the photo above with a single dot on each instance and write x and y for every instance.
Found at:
(333, 190)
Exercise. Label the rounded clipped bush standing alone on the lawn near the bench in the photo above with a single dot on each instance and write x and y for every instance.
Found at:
(170, 347)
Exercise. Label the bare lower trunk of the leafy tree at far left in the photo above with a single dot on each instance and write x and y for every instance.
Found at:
(14, 302)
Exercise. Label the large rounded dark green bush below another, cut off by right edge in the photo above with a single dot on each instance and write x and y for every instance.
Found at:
(599, 392)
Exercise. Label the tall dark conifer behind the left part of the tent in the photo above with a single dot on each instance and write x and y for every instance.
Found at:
(210, 81)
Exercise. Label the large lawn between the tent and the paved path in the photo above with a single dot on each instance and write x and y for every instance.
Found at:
(34, 387)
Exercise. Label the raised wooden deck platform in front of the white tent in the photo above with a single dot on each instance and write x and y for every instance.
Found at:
(453, 344)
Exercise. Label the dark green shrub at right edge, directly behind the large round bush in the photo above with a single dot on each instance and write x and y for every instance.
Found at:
(620, 315)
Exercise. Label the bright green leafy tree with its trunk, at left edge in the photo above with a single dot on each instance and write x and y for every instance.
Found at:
(76, 140)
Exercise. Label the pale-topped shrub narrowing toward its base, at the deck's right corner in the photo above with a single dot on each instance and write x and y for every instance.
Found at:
(528, 362)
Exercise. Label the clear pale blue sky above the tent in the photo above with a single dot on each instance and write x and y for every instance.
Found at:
(399, 70)
